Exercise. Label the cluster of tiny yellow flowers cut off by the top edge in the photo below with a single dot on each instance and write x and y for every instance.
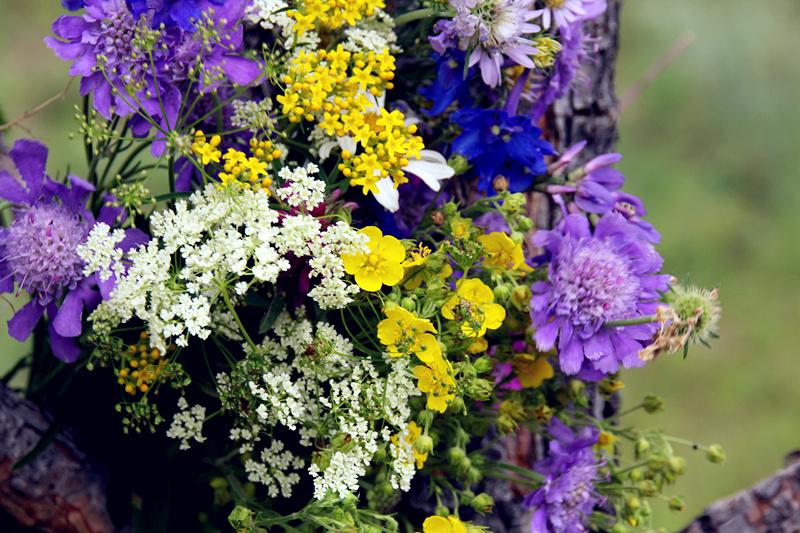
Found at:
(331, 14)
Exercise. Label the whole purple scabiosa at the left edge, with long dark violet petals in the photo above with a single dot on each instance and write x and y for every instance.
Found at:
(38, 251)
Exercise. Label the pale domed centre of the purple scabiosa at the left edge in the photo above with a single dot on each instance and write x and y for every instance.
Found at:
(41, 250)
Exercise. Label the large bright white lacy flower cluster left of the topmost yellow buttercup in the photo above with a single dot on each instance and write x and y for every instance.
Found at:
(222, 238)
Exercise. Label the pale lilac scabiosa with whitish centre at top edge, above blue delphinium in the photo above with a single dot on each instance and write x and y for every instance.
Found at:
(492, 30)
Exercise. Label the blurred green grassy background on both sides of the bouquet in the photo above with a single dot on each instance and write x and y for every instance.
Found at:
(712, 146)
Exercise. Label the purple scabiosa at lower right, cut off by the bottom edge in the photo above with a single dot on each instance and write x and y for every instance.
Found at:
(568, 495)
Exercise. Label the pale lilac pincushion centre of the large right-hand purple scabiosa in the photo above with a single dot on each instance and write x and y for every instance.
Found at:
(593, 284)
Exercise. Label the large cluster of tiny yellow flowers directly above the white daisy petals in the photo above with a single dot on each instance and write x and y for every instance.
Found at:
(340, 91)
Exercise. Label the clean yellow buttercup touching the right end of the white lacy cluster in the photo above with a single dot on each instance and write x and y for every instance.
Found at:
(382, 265)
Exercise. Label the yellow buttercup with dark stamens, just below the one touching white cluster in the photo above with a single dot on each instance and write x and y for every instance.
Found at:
(404, 333)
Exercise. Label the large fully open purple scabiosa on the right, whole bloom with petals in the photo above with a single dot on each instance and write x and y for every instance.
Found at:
(596, 277)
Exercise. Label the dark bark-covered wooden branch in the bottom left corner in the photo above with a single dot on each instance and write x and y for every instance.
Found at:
(58, 490)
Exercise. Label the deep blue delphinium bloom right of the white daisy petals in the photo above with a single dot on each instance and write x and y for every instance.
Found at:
(498, 144)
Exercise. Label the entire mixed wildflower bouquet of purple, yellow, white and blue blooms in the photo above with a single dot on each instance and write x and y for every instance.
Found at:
(303, 251)
